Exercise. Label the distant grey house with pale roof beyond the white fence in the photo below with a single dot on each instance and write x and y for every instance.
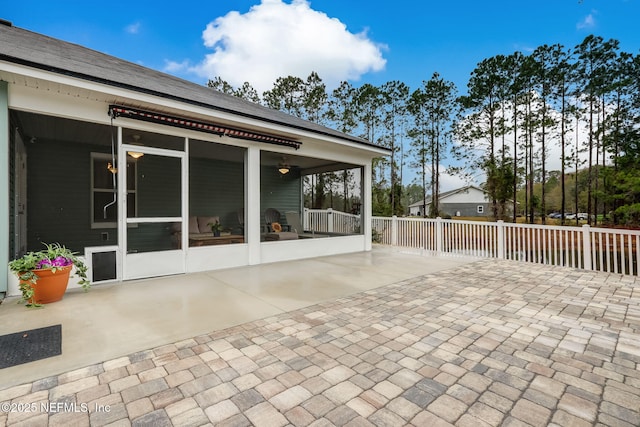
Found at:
(466, 201)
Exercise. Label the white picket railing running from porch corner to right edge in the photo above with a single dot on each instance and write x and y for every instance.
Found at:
(589, 248)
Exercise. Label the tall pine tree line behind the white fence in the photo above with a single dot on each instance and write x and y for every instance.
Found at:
(583, 101)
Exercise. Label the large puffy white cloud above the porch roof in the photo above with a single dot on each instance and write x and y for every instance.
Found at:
(276, 39)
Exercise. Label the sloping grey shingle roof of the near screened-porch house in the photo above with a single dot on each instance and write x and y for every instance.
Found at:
(38, 51)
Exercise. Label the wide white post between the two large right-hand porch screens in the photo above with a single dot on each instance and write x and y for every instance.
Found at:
(252, 204)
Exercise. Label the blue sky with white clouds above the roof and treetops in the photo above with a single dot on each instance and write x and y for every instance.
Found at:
(361, 41)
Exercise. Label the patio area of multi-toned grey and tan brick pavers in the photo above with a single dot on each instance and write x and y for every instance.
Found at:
(486, 344)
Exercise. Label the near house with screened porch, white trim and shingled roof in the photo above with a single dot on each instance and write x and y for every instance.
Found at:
(115, 160)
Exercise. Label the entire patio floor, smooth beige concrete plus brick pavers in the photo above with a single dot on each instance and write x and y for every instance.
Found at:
(356, 340)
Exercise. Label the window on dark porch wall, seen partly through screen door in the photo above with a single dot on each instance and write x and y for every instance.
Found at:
(104, 213)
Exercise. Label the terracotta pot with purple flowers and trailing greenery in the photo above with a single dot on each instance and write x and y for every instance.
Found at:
(44, 275)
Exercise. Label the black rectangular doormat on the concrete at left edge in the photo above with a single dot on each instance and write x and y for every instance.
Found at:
(28, 346)
